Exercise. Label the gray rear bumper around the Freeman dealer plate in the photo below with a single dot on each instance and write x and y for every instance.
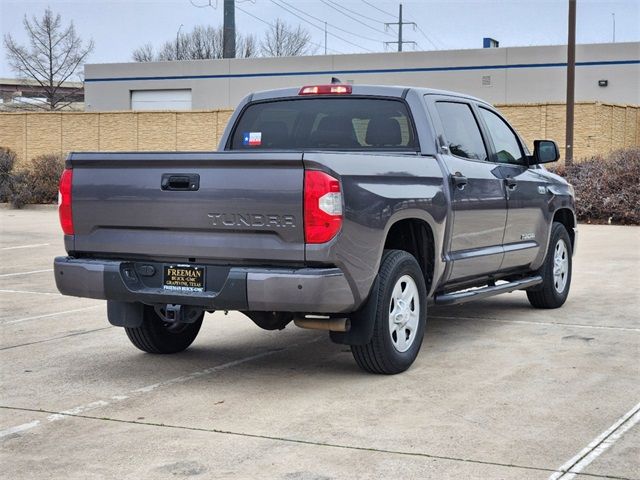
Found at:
(307, 290)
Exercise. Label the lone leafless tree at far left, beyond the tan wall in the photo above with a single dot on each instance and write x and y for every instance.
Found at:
(53, 56)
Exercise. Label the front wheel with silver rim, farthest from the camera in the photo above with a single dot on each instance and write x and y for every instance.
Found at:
(555, 271)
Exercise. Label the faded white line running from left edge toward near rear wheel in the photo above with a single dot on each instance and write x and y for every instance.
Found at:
(147, 389)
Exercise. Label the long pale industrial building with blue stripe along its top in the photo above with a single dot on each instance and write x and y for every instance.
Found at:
(608, 72)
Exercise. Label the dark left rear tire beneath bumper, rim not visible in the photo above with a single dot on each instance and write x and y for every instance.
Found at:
(157, 336)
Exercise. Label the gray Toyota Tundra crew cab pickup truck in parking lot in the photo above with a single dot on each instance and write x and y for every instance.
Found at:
(337, 207)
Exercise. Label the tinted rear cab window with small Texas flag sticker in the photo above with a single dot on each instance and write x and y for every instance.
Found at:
(325, 124)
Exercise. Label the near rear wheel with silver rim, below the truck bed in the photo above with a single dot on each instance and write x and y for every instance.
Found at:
(392, 350)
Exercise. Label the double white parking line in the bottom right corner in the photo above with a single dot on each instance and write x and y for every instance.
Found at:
(598, 445)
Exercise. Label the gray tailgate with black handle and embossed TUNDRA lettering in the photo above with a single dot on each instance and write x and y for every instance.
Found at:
(246, 206)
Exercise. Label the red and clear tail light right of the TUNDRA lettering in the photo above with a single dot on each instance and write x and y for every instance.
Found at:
(322, 207)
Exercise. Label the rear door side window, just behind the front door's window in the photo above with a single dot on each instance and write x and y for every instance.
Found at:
(461, 131)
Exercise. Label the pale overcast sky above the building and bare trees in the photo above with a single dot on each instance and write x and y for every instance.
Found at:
(119, 26)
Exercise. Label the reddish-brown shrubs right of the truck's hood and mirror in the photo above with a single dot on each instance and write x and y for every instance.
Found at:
(607, 188)
